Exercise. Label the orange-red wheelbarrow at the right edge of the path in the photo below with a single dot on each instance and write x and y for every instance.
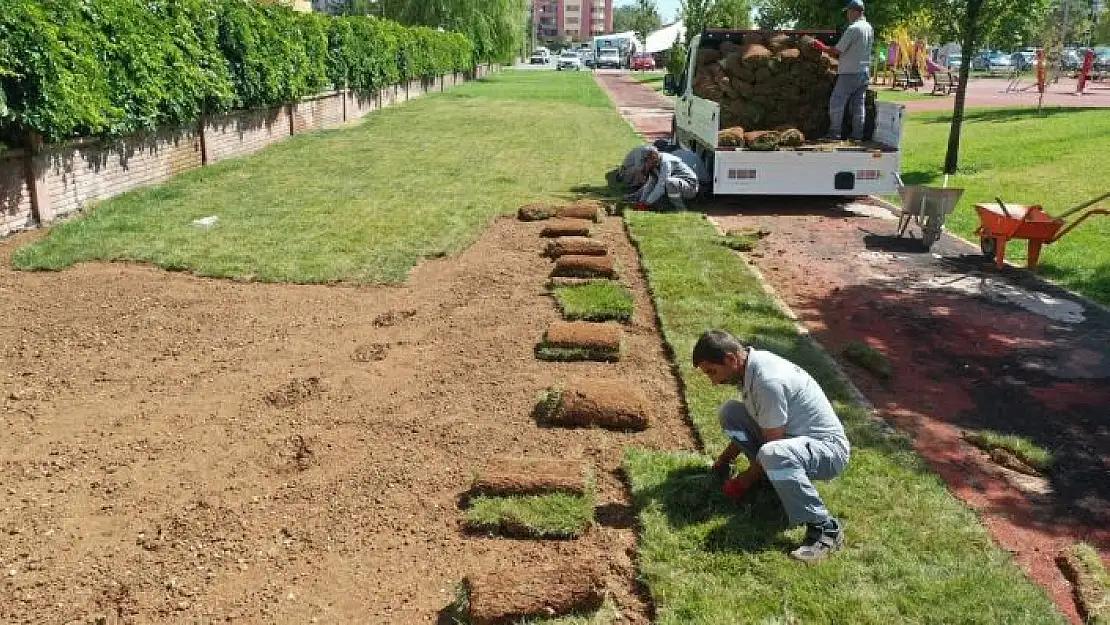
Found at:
(1000, 223)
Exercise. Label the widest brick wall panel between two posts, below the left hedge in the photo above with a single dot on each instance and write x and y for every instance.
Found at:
(75, 175)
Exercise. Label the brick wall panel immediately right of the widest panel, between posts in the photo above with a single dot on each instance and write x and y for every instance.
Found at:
(245, 133)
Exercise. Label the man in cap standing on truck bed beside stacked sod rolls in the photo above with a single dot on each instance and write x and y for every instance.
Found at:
(854, 51)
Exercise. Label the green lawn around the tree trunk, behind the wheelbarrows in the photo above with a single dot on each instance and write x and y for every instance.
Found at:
(1054, 158)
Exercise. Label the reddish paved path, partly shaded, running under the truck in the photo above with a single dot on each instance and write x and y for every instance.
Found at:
(971, 348)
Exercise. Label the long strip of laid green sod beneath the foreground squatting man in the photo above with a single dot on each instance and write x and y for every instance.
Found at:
(914, 553)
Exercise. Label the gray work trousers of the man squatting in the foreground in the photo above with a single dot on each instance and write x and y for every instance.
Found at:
(791, 465)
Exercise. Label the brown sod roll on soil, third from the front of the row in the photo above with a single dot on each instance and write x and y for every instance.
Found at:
(593, 404)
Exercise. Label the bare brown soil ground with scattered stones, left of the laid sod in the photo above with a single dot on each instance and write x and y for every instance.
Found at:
(177, 449)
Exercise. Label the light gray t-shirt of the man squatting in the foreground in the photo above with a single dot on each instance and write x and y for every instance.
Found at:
(781, 395)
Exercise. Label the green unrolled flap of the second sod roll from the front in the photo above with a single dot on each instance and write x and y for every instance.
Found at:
(549, 517)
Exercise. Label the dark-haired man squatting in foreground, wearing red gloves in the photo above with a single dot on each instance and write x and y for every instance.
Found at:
(788, 430)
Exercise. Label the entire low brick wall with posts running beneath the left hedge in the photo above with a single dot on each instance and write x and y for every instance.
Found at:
(60, 180)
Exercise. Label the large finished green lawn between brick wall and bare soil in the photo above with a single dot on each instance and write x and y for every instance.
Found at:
(367, 204)
